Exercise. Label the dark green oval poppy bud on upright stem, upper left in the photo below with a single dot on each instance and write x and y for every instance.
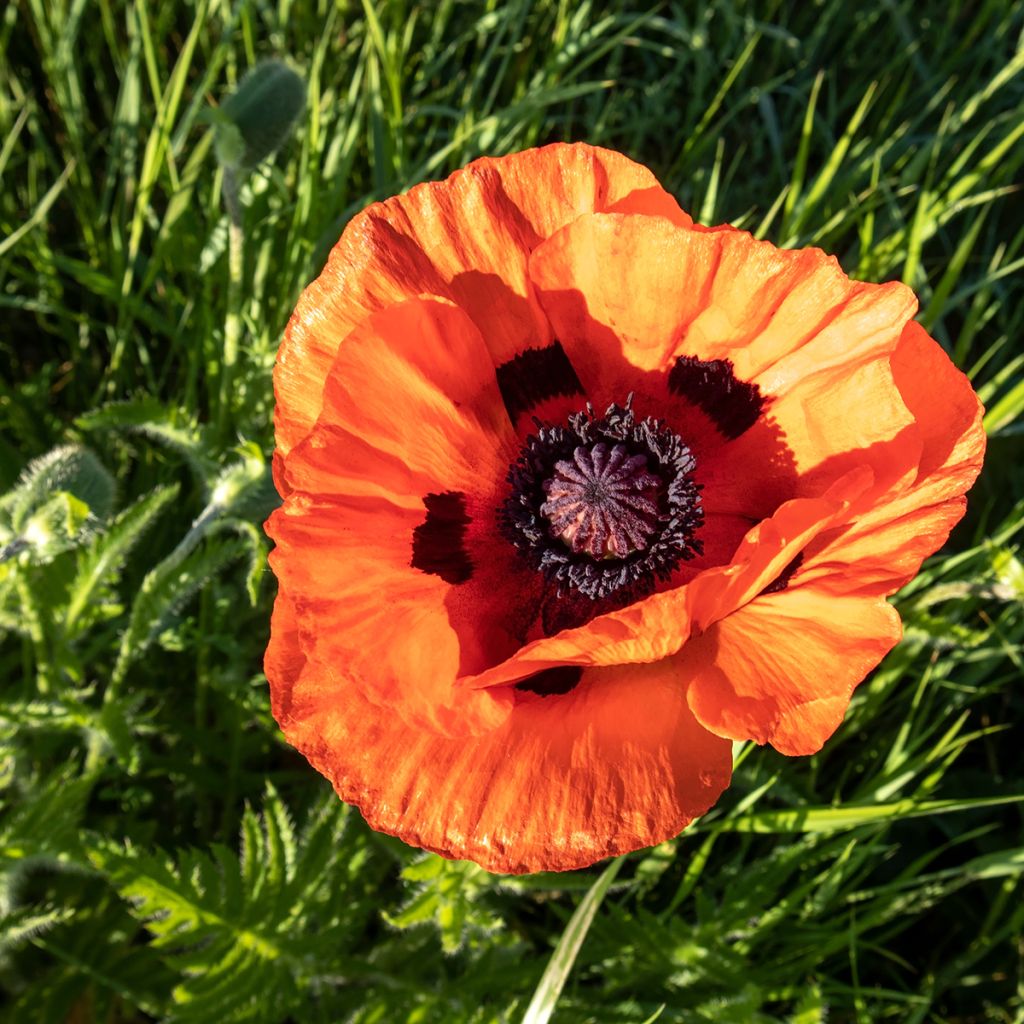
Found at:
(257, 119)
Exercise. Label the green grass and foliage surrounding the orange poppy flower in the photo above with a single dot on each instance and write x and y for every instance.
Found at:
(880, 880)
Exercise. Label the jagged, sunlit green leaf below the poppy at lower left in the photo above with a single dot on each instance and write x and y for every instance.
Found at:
(243, 931)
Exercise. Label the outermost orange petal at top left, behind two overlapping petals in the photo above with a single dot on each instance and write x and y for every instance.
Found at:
(466, 239)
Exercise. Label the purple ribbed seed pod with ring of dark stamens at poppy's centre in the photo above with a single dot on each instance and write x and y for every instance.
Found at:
(605, 505)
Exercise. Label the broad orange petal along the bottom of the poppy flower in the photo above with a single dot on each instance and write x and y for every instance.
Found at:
(614, 765)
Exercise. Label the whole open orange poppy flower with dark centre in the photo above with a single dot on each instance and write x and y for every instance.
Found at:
(576, 493)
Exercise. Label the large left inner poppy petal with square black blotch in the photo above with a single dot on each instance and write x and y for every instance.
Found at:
(383, 498)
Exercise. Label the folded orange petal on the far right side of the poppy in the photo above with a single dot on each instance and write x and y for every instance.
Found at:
(782, 668)
